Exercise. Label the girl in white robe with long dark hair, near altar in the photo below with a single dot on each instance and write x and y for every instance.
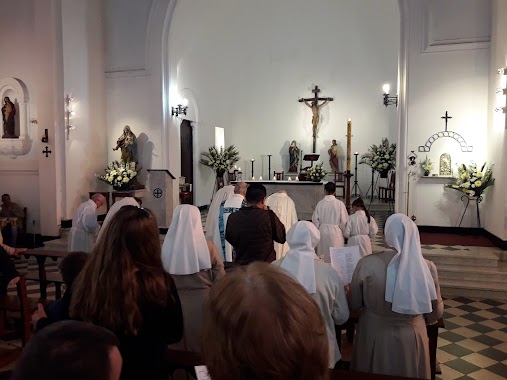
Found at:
(360, 228)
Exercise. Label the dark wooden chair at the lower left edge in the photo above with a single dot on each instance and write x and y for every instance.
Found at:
(20, 305)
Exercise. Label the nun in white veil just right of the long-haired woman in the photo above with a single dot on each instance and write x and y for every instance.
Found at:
(195, 265)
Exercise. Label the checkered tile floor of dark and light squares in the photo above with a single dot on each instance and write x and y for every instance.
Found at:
(473, 344)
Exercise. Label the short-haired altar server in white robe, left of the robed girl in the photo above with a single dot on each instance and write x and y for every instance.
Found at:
(330, 217)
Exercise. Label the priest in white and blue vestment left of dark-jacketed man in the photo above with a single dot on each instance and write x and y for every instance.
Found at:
(233, 203)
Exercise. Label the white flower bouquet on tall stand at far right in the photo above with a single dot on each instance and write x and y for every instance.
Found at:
(472, 181)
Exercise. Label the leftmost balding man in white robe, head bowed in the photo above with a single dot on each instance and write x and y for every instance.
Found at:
(85, 225)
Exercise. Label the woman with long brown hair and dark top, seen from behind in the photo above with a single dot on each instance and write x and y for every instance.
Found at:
(124, 288)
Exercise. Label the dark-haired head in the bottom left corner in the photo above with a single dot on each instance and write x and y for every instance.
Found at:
(70, 350)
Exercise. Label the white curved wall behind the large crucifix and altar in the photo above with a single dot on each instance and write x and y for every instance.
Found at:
(247, 63)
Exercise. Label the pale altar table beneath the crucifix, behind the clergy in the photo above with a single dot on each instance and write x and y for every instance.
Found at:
(305, 194)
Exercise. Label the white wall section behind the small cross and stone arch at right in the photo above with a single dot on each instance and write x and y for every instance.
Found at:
(448, 68)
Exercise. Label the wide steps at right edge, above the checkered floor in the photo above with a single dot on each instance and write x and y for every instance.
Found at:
(476, 273)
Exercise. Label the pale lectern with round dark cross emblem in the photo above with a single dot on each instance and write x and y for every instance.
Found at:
(159, 195)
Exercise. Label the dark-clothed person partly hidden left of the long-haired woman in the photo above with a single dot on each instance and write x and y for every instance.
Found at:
(58, 310)
